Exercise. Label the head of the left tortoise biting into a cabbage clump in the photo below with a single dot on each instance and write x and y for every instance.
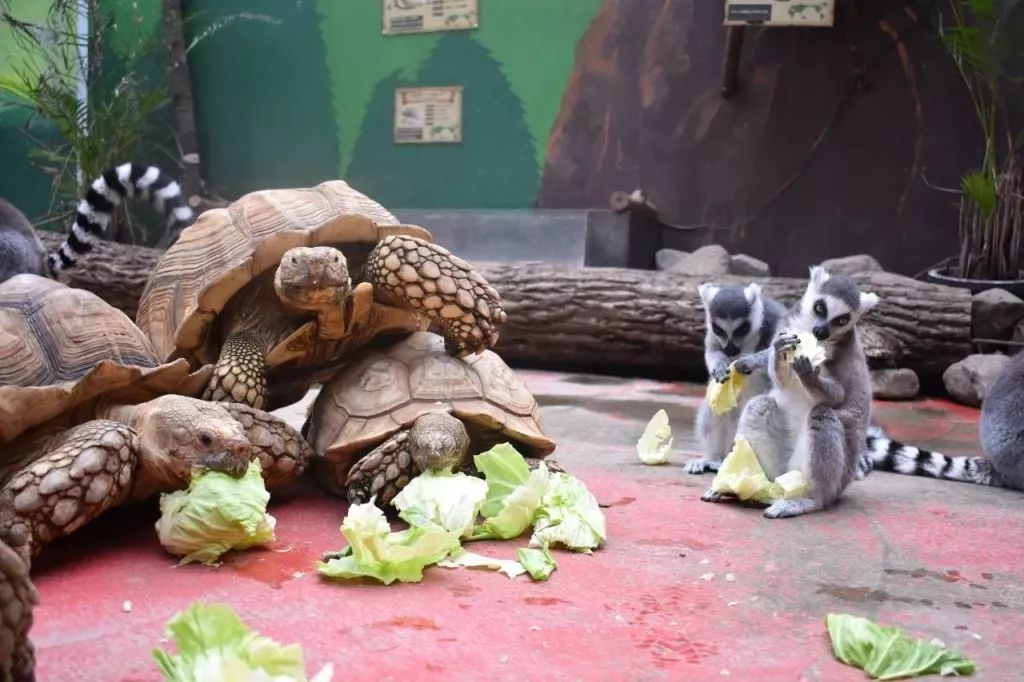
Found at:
(177, 434)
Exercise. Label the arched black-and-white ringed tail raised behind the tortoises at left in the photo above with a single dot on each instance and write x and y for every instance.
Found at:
(106, 194)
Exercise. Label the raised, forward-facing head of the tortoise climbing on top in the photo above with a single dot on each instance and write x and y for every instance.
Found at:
(311, 278)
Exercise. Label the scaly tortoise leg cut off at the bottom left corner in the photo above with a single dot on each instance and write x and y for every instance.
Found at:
(18, 596)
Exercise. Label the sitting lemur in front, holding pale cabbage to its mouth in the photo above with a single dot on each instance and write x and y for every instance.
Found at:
(814, 419)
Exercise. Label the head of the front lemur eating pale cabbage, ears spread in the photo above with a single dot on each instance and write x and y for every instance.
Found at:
(832, 306)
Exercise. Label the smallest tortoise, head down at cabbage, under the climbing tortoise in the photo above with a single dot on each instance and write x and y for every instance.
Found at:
(414, 407)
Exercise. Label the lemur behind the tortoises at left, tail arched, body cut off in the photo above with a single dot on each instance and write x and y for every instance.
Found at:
(22, 251)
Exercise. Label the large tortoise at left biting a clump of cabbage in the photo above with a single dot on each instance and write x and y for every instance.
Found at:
(90, 417)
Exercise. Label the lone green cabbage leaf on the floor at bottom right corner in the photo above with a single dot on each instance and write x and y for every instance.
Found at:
(889, 654)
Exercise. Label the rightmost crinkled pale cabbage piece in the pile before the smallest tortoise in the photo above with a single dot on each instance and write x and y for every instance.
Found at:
(569, 516)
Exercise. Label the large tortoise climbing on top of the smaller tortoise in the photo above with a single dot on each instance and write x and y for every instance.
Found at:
(264, 290)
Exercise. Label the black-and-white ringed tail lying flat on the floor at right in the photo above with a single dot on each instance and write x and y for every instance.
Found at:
(887, 455)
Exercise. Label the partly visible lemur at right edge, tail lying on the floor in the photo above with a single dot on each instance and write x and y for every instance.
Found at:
(1002, 439)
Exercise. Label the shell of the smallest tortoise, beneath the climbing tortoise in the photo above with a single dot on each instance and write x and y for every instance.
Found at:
(387, 391)
